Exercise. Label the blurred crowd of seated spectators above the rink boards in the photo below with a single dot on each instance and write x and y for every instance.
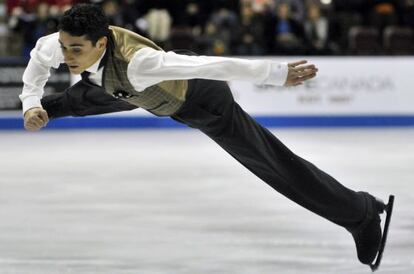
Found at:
(232, 27)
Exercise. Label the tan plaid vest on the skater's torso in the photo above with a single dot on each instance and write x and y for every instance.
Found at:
(162, 99)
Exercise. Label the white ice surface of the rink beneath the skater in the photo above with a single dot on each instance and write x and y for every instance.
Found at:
(172, 202)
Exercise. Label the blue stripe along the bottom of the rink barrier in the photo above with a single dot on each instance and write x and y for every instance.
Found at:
(134, 122)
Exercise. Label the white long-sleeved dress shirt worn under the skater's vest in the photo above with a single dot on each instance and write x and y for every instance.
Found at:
(148, 67)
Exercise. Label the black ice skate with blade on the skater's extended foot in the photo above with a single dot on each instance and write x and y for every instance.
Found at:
(369, 239)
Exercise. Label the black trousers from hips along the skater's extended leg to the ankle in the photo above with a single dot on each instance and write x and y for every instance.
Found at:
(211, 108)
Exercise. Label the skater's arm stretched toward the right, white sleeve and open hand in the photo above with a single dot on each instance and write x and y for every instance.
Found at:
(149, 66)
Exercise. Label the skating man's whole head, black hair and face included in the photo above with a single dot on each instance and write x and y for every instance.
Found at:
(83, 35)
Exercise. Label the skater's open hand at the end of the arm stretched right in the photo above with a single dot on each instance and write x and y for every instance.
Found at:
(297, 73)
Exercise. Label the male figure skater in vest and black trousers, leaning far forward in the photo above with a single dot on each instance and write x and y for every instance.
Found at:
(122, 71)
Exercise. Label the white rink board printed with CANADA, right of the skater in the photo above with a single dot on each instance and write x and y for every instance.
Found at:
(344, 86)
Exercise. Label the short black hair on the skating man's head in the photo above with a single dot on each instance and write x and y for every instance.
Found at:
(85, 19)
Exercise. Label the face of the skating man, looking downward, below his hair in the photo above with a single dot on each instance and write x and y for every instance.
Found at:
(78, 51)
